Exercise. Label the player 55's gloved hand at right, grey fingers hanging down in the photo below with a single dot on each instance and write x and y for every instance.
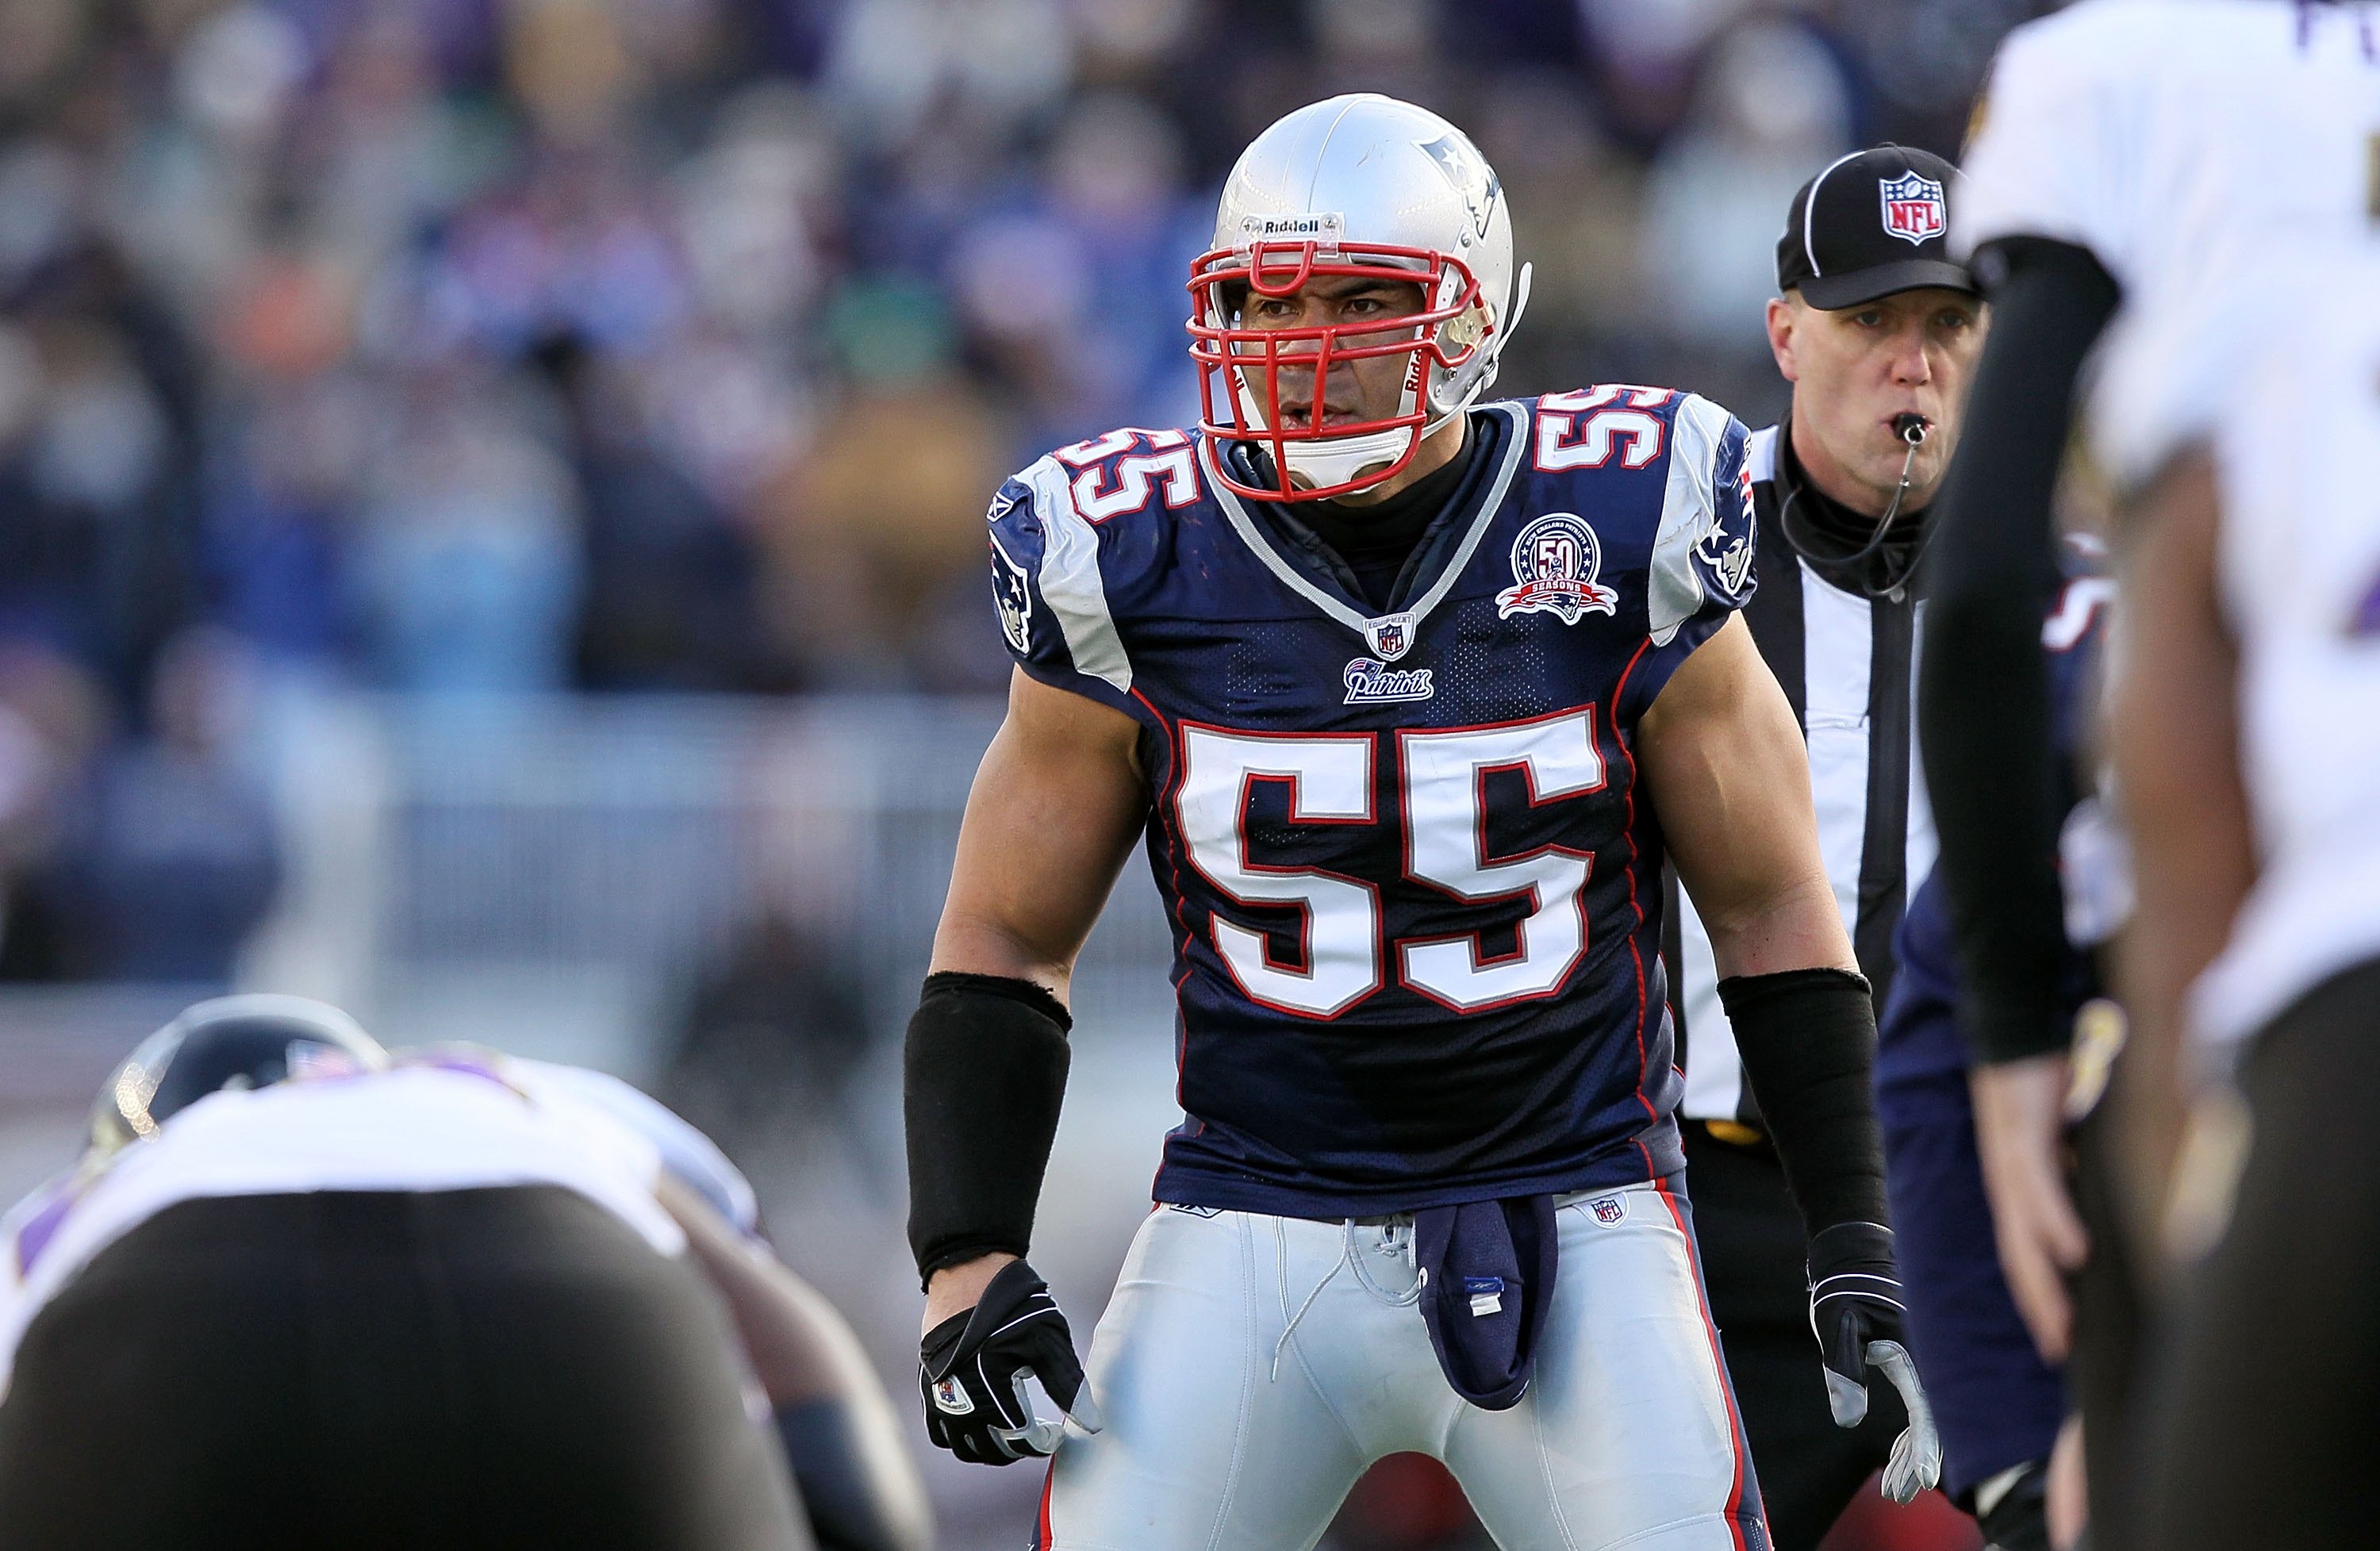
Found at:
(1855, 1310)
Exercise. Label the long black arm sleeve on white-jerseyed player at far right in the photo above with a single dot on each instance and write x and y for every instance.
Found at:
(1984, 698)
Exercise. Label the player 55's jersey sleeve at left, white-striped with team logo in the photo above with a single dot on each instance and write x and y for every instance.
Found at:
(1051, 589)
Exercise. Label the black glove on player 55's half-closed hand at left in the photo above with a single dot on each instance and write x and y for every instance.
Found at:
(975, 1369)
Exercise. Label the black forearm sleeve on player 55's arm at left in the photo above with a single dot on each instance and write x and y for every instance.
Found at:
(984, 1074)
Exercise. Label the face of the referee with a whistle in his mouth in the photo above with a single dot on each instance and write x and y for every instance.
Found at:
(1860, 368)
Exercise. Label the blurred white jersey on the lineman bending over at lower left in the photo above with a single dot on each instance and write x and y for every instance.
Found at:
(470, 1124)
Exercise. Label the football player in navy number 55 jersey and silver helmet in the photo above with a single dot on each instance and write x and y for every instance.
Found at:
(1408, 696)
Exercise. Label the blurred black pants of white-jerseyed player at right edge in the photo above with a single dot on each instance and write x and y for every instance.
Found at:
(2265, 1421)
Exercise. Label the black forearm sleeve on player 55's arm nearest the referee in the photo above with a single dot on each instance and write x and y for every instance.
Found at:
(1810, 1048)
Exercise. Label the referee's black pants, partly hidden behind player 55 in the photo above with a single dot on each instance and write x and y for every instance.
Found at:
(1755, 1264)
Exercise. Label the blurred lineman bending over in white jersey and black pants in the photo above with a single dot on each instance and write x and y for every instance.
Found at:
(303, 1293)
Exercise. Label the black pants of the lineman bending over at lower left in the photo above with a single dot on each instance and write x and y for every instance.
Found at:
(363, 1371)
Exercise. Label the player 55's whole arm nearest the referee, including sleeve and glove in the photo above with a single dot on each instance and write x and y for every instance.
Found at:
(1727, 770)
